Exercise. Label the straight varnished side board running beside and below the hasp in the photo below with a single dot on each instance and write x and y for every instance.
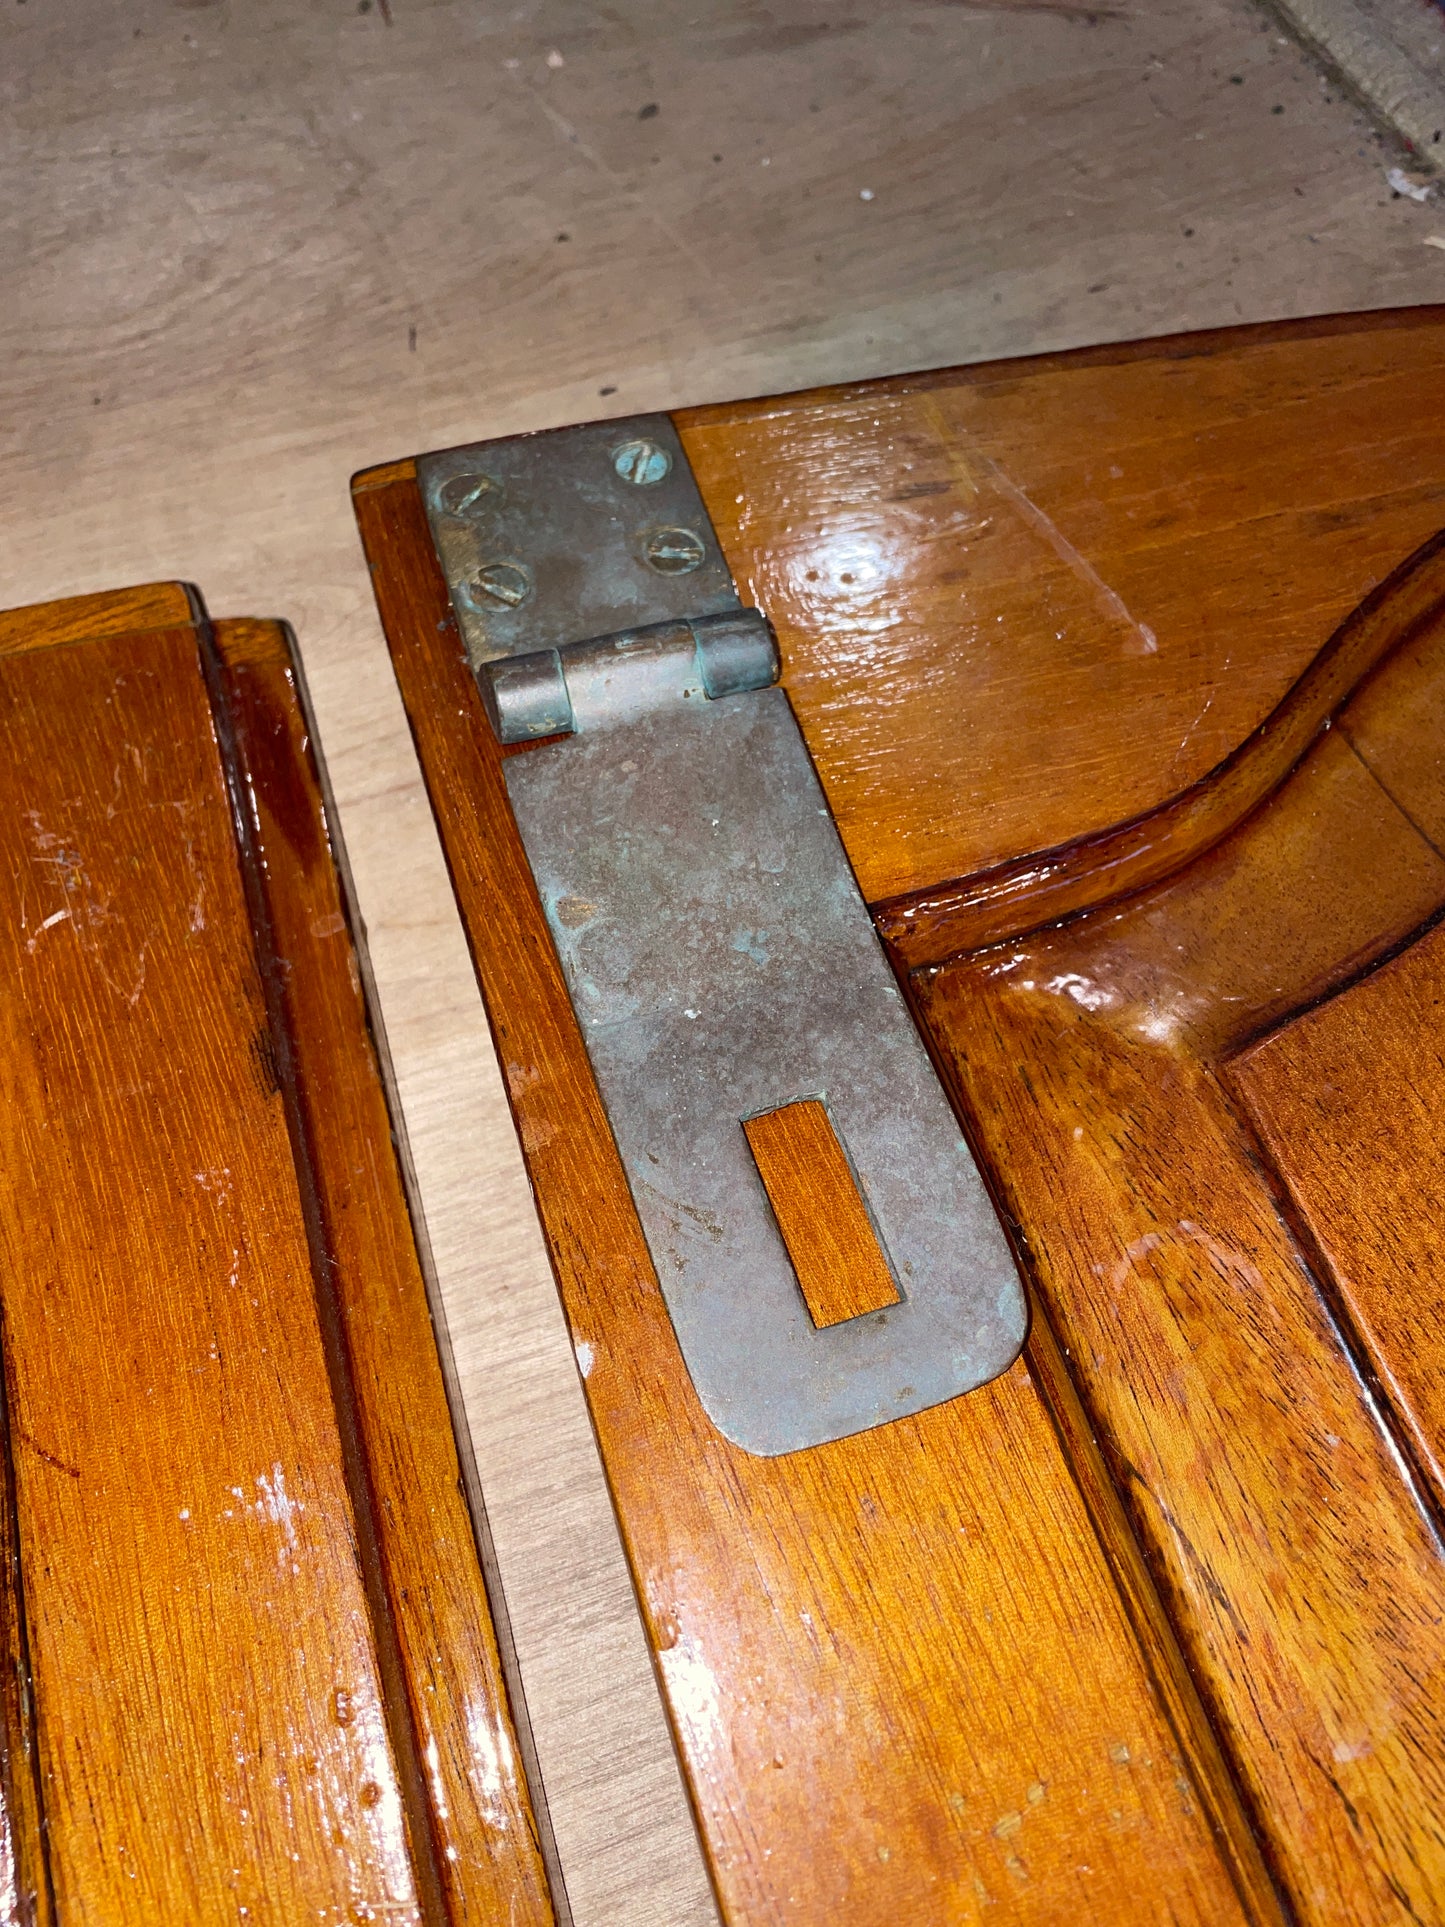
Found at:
(874, 1652)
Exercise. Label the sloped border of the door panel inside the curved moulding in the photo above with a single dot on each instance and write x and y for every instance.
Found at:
(1205, 1336)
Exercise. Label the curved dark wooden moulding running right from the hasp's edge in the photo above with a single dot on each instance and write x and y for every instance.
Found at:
(1014, 899)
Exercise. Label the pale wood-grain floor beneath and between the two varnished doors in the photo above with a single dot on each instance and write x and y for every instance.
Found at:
(251, 248)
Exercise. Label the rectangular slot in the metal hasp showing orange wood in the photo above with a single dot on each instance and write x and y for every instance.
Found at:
(826, 1227)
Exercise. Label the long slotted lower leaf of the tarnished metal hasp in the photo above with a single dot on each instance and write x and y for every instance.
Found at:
(723, 964)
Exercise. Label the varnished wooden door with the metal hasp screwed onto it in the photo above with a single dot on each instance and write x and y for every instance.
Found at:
(1124, 677)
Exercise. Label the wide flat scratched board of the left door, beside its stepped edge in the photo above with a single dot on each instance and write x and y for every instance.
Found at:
(178, 1467)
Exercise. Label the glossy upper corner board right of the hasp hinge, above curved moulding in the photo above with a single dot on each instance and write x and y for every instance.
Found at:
(1026, 602)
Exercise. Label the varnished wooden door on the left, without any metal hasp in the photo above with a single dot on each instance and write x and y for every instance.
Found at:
(215, 1506)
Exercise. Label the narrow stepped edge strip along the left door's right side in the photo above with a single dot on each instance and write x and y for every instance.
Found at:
(450, 1670)
